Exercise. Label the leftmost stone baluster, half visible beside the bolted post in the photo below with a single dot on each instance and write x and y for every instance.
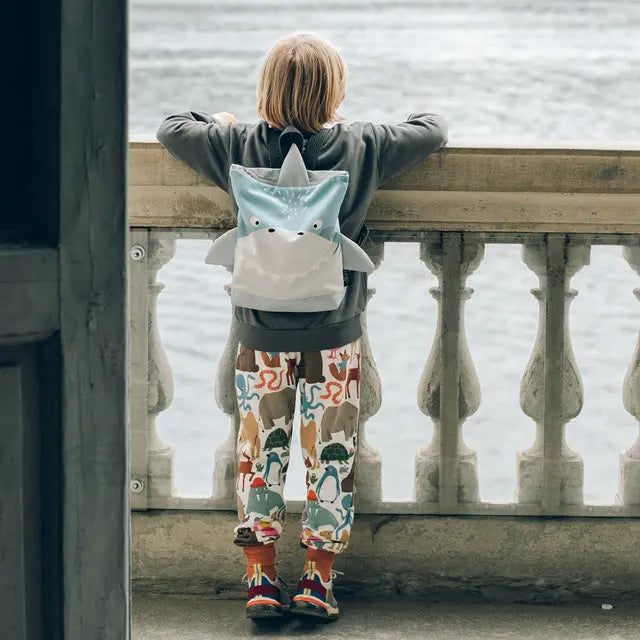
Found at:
(162, 247)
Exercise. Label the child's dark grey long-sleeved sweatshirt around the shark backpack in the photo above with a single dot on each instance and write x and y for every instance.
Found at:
(371, 153)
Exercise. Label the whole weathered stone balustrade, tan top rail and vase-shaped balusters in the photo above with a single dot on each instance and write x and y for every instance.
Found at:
(555, 202)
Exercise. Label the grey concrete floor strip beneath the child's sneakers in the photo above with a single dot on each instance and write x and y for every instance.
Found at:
(193, 618)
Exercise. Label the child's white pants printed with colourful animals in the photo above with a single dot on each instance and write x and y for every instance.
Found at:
(329, 386)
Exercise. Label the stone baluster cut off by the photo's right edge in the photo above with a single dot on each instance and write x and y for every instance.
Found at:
(629, 480)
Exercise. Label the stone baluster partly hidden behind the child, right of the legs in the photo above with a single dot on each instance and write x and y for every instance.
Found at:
(368, 468)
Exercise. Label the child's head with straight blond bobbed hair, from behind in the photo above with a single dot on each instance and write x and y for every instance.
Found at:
(302, 82)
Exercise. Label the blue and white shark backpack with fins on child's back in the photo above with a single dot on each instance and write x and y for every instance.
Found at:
(287, 252)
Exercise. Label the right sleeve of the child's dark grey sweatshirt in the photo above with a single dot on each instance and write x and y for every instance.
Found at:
(401, 146)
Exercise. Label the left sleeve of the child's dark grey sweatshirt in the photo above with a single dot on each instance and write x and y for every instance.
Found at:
(200, 141)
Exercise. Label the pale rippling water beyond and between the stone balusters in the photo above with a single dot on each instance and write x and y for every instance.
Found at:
(499, 70)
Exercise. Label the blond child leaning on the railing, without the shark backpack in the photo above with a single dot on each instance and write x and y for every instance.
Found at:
(300, 88)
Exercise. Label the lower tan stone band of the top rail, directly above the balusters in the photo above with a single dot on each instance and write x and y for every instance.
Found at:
(204, 207)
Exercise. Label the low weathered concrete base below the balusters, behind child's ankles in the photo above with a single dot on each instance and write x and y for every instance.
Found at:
(476, 558)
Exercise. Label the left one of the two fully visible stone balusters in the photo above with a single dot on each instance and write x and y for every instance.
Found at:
(449, 391)
